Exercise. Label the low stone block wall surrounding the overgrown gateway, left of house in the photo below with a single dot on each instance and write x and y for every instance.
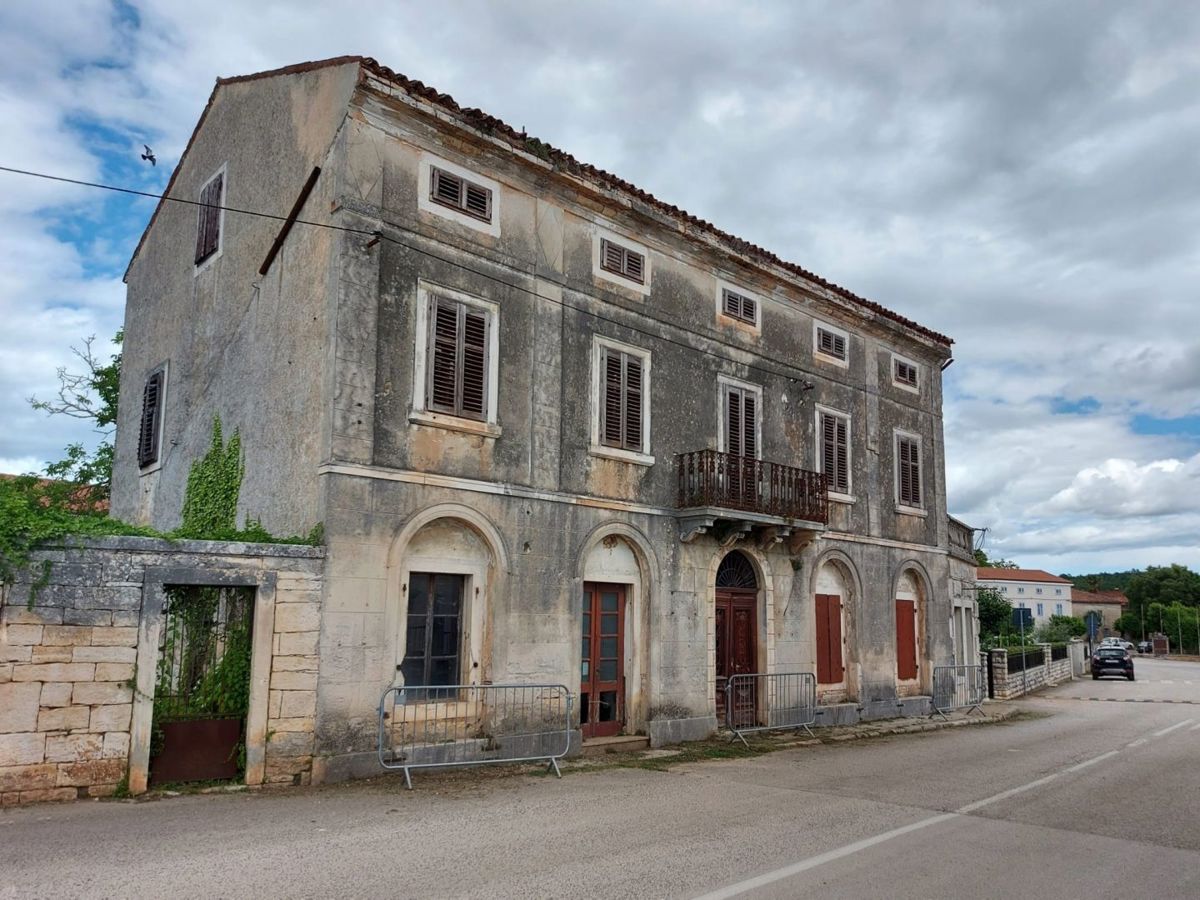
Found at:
(70, 687)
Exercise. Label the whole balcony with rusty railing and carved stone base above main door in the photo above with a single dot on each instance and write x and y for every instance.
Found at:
(735, 496)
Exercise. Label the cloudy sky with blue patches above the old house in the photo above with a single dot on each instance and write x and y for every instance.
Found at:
(1019, 176)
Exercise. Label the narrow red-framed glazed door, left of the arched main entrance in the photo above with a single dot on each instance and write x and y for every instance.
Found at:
(603, 676)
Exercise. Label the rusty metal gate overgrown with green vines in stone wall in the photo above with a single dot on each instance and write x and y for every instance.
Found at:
(202, 685)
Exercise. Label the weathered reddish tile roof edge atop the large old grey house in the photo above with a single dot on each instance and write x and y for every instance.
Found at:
(494, 128)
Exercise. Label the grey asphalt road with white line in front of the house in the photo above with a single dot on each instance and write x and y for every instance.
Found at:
(1090, 799)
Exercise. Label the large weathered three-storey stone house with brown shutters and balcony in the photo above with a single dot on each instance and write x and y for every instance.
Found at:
(513, 383)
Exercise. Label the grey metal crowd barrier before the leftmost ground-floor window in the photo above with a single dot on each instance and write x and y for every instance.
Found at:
(428, 727)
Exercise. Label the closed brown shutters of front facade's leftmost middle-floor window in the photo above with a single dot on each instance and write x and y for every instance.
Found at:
(458, 367)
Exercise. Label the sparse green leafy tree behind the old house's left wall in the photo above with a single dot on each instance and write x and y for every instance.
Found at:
(91, 395)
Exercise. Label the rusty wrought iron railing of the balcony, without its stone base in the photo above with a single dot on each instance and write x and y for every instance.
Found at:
(718, 481)
